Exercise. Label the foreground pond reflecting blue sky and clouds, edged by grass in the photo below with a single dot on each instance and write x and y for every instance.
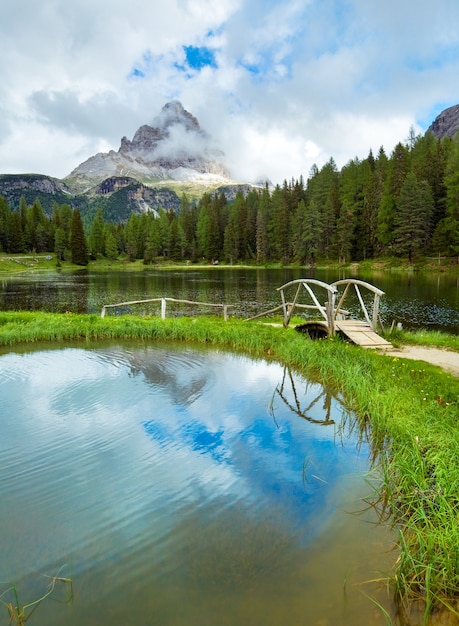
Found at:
(184, 486)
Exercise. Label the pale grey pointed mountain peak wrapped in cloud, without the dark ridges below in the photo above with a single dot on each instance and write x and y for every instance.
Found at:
(173, 148)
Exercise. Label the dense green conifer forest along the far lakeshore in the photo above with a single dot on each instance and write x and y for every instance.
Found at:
(405, 204)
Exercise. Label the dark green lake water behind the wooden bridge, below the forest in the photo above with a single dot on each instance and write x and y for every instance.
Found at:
(415, 300)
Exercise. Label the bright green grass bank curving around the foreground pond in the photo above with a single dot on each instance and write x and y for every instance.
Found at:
(412, 409)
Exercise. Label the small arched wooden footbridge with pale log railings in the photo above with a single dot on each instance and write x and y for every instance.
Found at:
(332, 317)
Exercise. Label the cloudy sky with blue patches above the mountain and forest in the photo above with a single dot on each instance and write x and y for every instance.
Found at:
(280, 85)
